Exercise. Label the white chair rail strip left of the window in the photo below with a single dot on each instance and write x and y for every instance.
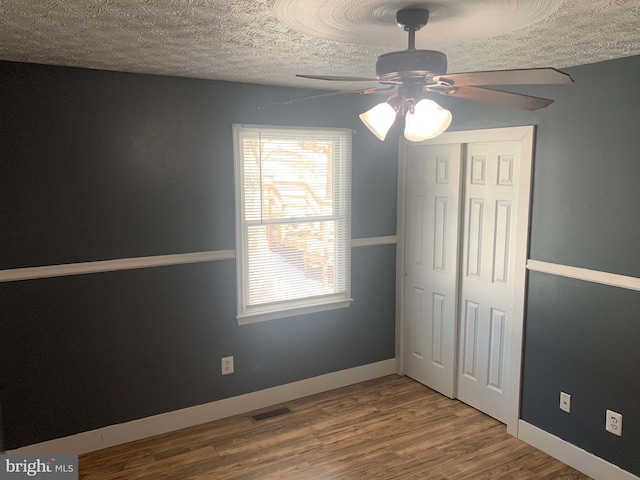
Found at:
(113, 265)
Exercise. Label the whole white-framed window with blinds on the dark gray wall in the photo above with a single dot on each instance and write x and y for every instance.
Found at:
(293, 220)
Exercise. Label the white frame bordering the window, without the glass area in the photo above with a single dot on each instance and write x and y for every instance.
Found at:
(246, 314)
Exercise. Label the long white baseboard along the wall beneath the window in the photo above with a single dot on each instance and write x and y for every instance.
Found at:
(146, 427)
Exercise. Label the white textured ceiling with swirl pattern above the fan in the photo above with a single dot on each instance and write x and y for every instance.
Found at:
(269, 41)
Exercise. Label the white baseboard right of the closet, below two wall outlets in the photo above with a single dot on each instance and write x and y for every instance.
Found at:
(575, 457)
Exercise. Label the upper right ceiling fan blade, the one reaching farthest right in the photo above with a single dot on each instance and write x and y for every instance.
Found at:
(527, 76)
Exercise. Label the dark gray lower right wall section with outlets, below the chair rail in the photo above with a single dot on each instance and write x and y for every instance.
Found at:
(582, 338)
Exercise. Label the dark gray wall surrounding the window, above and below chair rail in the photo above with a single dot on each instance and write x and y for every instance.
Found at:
(103, 165)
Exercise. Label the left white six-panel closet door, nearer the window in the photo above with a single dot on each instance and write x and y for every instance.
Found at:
(431, 259)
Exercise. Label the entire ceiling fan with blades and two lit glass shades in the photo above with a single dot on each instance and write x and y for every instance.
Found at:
(419, 73)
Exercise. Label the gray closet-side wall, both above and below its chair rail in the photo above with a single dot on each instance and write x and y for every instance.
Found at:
(582, 338)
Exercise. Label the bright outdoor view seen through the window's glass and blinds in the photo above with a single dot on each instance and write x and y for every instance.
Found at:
(290, 214)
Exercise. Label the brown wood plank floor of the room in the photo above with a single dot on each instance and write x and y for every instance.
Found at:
(387, 428)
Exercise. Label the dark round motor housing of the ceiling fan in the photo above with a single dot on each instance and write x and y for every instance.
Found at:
(396, 66)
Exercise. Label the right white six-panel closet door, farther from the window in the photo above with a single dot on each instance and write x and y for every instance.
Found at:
(487, 268)
